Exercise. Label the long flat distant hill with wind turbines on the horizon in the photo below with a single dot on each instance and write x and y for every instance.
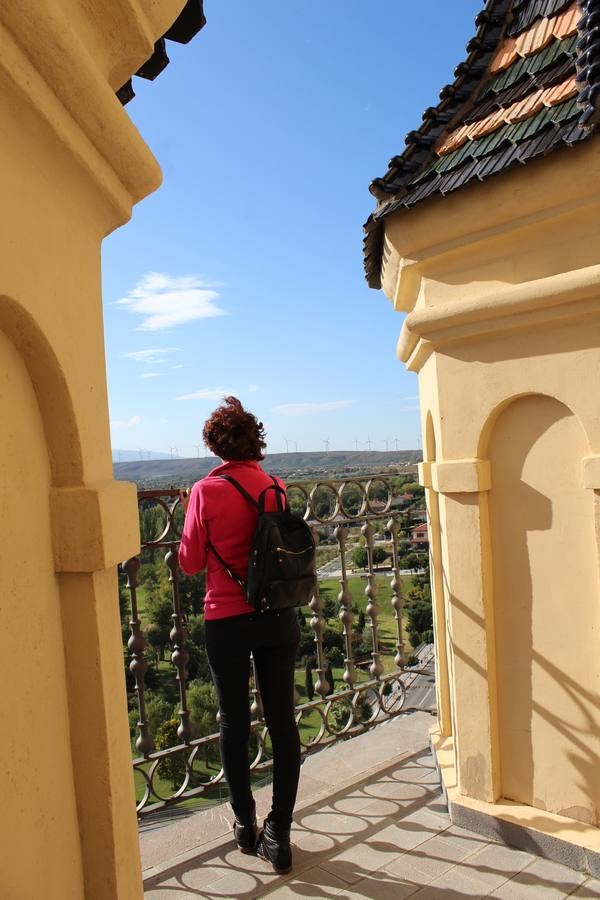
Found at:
(186, 471)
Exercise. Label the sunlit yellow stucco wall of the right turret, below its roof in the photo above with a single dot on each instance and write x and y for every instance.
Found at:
(501, 283)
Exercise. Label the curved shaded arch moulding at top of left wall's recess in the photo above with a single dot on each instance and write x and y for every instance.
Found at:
(52, 392)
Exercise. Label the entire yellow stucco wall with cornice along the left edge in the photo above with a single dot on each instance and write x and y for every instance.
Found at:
(71, 167)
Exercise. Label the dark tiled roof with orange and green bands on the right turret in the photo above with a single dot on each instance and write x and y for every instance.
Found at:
(529, 86)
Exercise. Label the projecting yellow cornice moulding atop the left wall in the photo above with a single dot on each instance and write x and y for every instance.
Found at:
(51, 67)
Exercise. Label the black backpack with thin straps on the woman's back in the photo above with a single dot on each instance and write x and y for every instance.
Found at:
(281, 565)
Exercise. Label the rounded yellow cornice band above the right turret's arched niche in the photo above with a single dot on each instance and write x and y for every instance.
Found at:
(552, 301)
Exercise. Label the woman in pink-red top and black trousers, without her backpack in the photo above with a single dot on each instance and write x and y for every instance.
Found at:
(219, 517)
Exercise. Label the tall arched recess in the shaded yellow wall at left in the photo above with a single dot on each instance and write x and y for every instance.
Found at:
(37, 436)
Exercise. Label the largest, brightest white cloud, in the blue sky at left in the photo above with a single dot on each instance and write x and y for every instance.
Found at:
(164, 301)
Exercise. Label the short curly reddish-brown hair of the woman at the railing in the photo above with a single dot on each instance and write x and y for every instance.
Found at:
(232, 432)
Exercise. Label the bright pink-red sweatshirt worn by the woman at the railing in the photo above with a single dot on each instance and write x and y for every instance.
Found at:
(218, 513)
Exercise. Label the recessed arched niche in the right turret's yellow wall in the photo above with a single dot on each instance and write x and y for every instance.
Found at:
(543, 568)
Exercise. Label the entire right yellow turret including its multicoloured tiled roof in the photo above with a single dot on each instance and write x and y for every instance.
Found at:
(486, 236)
